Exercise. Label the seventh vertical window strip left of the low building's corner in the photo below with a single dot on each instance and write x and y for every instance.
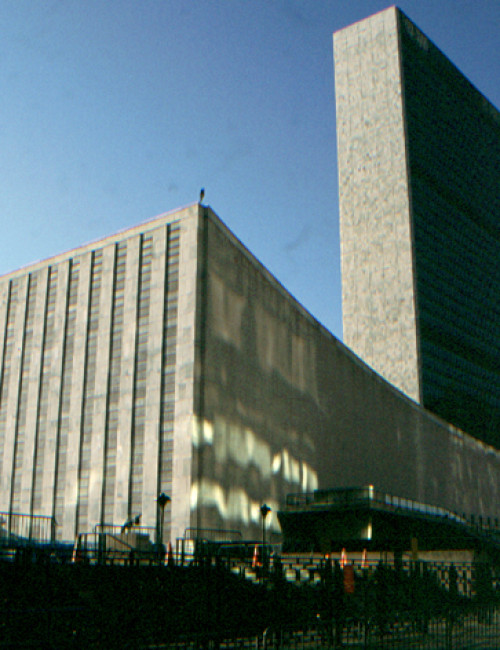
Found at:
(15, 499)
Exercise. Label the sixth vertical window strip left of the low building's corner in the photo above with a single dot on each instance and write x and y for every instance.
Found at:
(44, 394)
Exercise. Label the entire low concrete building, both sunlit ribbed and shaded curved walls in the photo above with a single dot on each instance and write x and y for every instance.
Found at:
(245, 397)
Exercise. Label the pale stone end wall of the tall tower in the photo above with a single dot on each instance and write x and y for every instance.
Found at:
(378, 300)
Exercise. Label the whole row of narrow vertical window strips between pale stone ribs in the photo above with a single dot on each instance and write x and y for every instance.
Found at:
(51, 338)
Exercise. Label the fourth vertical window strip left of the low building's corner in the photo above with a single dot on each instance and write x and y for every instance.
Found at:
(89, 392)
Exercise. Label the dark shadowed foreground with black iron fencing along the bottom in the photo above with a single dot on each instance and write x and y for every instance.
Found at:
(237, 596)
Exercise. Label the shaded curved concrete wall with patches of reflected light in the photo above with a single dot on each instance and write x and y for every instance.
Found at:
(285, 407)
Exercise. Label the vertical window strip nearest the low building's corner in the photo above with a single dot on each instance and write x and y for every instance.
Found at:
(165, 457)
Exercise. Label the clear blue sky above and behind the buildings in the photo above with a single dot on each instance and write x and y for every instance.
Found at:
(112, 112)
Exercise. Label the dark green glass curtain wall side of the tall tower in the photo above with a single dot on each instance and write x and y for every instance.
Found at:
(454, 168)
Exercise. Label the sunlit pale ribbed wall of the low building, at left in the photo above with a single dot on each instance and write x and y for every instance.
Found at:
(97, 379)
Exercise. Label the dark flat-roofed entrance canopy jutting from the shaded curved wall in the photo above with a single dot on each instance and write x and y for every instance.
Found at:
(358, 518)
